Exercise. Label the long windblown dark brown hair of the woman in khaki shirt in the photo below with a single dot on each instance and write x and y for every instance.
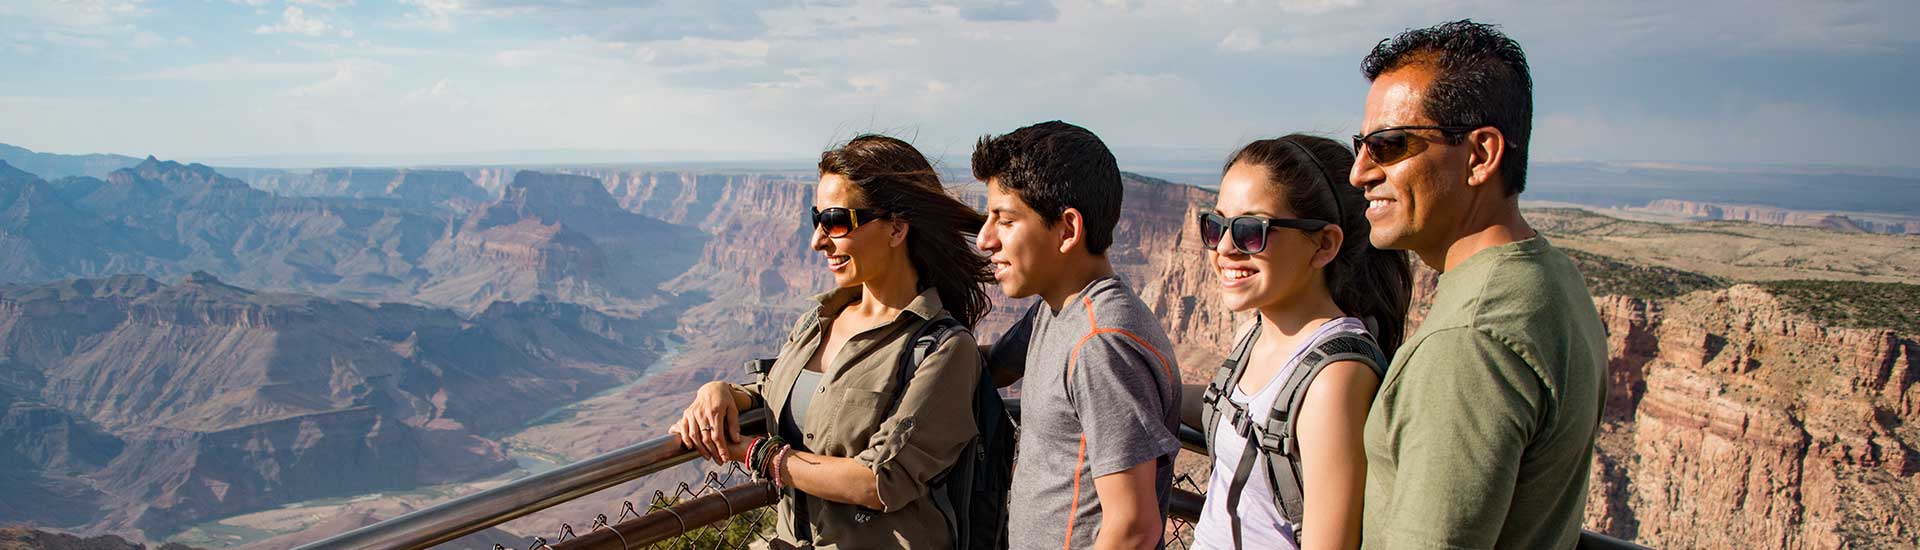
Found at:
(898, 180)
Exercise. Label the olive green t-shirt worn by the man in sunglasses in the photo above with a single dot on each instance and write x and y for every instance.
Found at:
(1483, 430)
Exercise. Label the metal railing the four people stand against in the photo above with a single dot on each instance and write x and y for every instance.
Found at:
(692, 509)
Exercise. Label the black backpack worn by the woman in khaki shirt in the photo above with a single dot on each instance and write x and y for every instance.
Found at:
(972, 493)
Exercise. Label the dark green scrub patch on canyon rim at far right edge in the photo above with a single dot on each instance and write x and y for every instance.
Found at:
(1854, 305)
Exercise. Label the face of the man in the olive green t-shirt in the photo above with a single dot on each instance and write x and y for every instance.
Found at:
(1416, 203)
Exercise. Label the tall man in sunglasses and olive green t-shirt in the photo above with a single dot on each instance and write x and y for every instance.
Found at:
(1483, 430)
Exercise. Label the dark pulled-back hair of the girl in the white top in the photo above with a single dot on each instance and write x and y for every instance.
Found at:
(1366, 282)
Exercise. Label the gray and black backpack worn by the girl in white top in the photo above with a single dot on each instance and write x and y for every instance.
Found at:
(1274, 434)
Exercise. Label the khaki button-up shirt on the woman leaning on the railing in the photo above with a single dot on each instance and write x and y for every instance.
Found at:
(848, 418)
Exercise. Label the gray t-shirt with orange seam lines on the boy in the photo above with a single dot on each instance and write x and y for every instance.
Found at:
(1101, 395)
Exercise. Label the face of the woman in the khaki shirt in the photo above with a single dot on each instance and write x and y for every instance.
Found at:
(863, 253)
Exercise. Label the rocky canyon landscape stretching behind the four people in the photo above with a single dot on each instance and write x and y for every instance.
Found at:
(425, 324)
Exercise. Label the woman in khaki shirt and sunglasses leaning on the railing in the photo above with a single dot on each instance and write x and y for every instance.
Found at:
(853, 453)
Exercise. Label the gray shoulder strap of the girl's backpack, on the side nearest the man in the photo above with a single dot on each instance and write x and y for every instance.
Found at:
(1280, 436)
